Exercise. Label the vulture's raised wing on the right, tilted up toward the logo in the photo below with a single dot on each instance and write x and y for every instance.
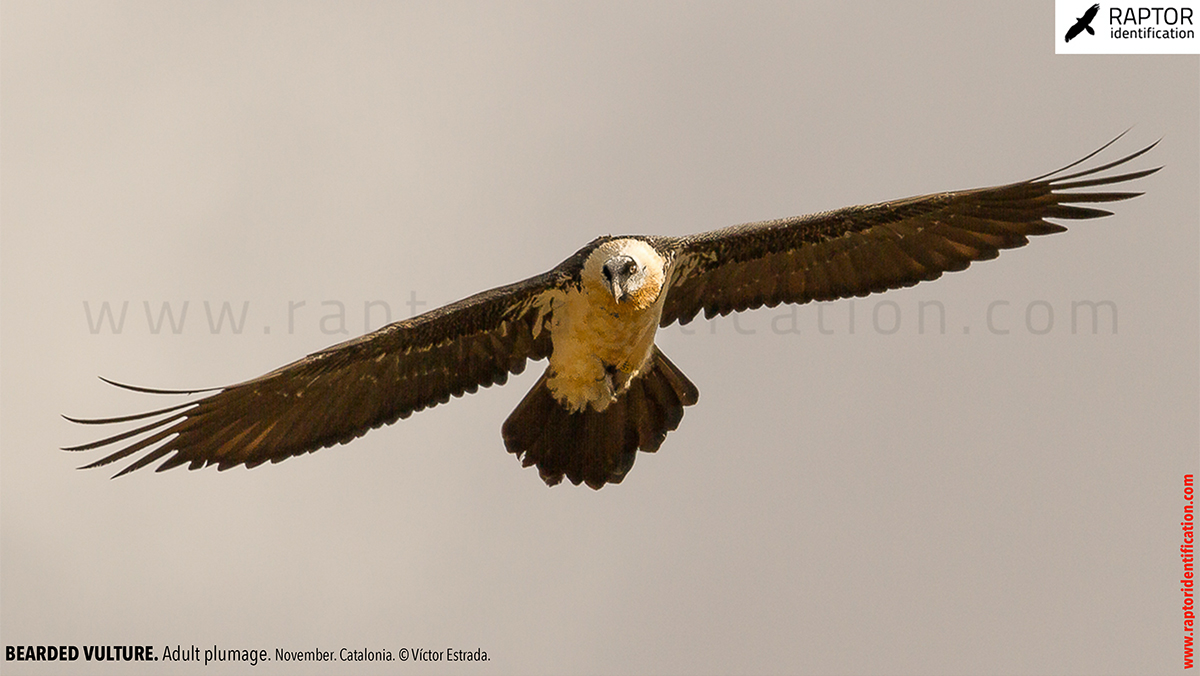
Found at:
(862, 250)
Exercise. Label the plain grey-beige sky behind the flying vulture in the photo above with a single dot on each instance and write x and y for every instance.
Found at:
(865, 502)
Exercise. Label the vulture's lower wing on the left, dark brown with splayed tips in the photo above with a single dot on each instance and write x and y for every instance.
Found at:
(340, 393)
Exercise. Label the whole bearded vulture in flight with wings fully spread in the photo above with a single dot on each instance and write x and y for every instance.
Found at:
(608, 391)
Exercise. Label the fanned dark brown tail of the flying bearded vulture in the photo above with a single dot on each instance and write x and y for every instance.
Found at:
(599, 447)
